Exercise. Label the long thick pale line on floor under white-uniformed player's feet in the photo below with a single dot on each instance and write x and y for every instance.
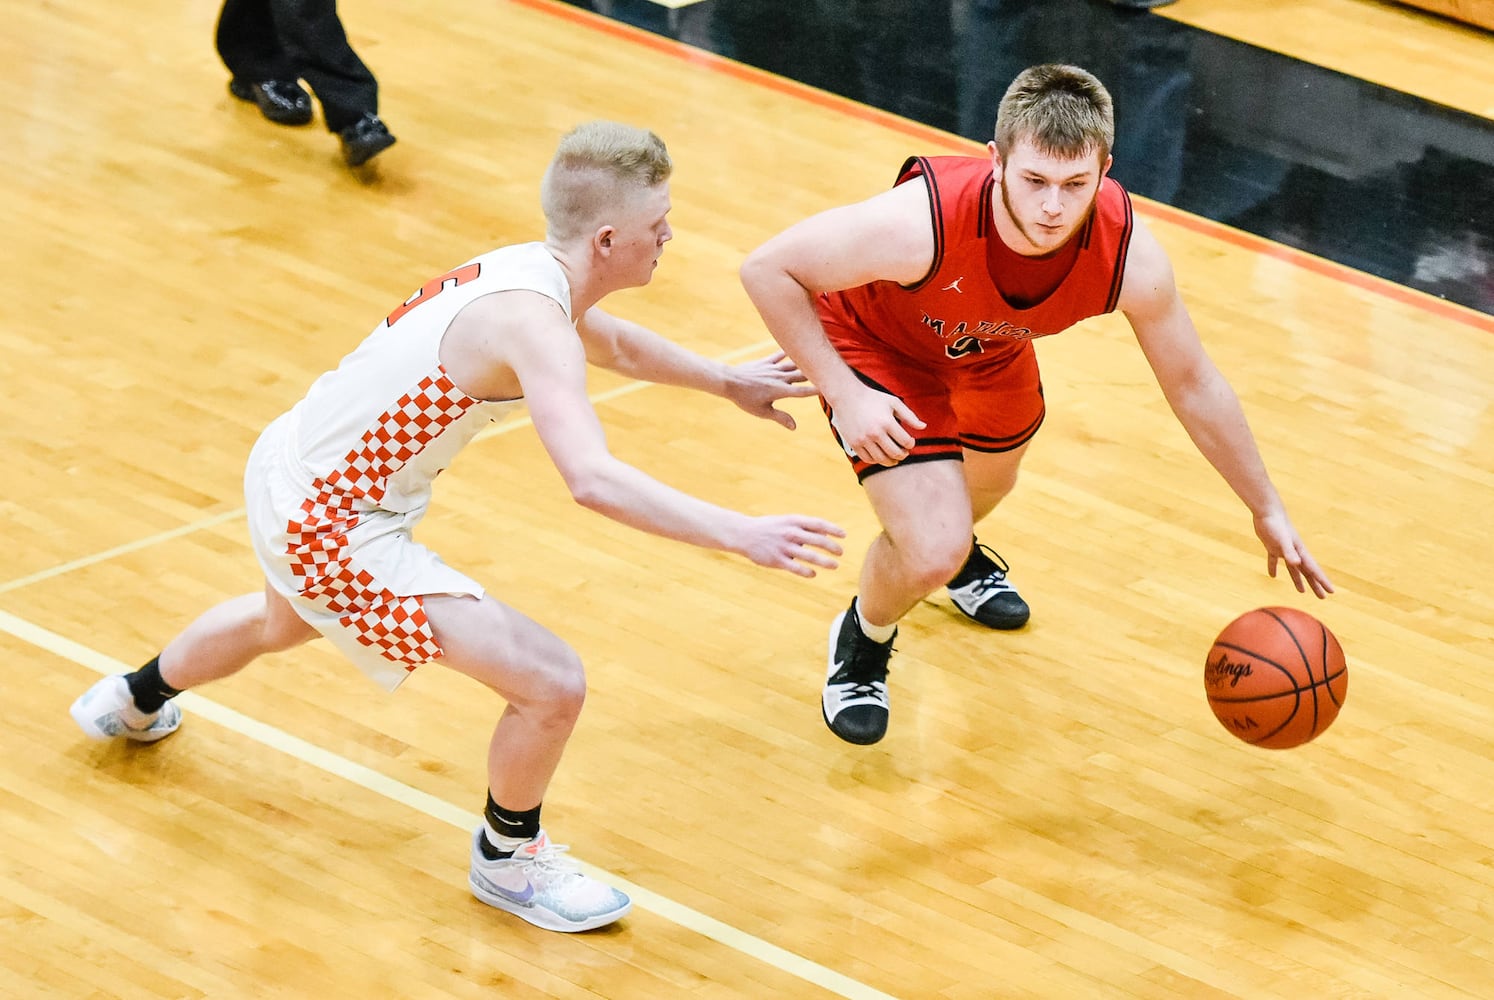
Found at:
(443, 811)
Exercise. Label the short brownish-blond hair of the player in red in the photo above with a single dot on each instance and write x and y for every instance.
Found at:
(1063, 110)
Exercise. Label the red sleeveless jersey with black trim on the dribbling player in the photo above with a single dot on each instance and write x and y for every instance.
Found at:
(958, 310)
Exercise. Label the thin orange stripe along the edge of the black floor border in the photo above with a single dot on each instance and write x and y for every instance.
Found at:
(958, 144)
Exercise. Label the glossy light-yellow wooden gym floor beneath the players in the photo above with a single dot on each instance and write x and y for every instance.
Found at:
(1056, 814)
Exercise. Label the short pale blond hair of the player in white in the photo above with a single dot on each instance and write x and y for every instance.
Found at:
(595, 168)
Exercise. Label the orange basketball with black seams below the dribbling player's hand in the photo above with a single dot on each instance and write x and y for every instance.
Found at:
(1277, 678)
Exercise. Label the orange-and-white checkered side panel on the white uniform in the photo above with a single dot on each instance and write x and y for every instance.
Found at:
(319, 549)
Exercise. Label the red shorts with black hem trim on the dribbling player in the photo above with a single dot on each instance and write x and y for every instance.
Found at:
(984, 403)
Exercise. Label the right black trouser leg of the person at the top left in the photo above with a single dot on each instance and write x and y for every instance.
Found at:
(314, 35)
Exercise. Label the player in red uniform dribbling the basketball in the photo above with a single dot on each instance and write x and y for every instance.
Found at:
(915, 312)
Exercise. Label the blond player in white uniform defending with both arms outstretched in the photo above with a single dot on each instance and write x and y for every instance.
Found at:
(335, 487)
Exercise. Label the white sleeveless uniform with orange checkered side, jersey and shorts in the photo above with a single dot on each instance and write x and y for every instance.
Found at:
(335, 487)
